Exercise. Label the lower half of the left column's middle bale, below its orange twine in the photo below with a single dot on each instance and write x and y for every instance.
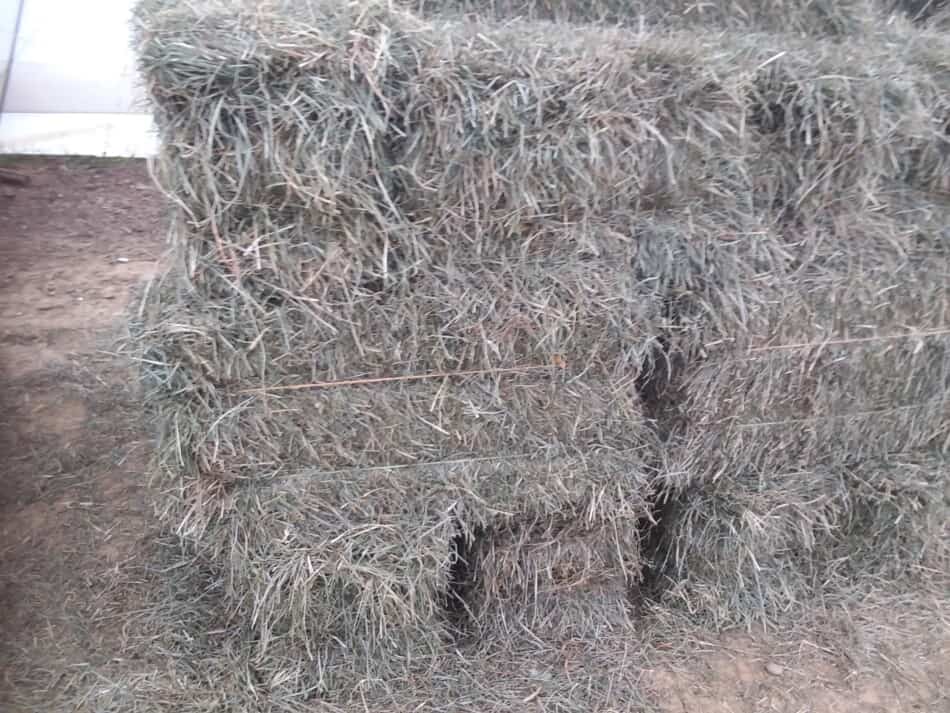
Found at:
(227, 437)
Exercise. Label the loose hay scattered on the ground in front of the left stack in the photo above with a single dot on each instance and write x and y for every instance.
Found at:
(184, 648)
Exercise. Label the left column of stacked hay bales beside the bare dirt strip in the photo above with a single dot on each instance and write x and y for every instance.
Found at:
(389, 343)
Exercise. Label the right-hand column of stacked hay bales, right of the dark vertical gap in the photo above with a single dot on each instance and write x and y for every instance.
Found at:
(817, 392)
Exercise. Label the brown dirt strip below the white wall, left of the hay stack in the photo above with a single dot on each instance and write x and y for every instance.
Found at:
(72, 450)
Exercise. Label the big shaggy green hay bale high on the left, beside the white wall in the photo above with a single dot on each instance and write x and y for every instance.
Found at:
(535, 149)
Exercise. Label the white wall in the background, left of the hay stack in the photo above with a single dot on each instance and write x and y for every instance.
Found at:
(73, 87)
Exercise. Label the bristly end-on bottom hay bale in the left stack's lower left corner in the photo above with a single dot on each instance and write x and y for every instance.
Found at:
(308, 564)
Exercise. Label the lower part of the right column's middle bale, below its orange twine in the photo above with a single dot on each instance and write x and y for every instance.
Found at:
(816, 408)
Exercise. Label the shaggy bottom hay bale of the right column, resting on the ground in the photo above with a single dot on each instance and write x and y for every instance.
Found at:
(751, 547)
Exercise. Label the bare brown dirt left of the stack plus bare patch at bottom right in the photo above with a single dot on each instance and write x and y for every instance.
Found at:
(75, 246)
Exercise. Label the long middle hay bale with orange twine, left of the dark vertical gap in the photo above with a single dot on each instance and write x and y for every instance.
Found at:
(551, 357)
